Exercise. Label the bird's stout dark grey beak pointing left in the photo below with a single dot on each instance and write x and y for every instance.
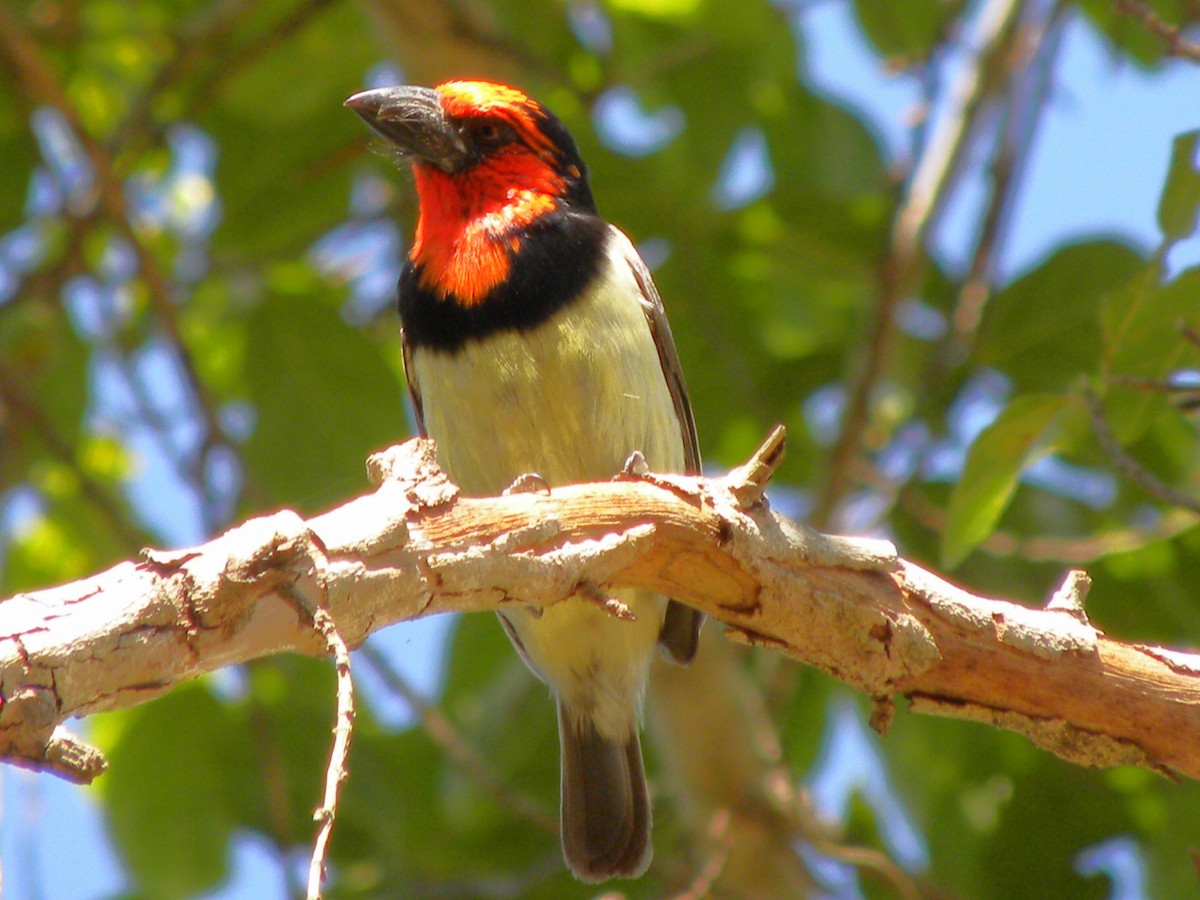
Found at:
(413, 121)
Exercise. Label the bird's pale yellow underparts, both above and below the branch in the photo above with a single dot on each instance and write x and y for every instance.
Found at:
(571, 401)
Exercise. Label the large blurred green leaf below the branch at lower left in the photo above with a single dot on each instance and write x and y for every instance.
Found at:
(167, 793)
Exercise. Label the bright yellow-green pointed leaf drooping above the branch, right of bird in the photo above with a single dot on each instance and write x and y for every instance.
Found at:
(994, 465)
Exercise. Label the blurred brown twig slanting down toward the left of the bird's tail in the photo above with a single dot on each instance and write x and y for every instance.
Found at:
(446, 735)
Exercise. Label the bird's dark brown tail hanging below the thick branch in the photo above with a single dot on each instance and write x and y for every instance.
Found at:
(607, 809)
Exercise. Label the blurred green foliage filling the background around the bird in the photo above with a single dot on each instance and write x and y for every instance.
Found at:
(235, 250)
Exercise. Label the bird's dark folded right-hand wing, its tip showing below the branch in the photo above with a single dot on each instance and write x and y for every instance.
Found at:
(681, 627)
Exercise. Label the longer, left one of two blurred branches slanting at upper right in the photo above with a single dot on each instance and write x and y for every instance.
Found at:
(926, 196)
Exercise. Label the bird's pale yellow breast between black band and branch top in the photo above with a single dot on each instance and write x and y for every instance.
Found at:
(569, 400)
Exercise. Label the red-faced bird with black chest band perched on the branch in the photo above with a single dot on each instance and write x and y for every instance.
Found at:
(536, 345)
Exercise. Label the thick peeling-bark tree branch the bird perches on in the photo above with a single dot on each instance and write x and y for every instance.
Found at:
(416, 548)
